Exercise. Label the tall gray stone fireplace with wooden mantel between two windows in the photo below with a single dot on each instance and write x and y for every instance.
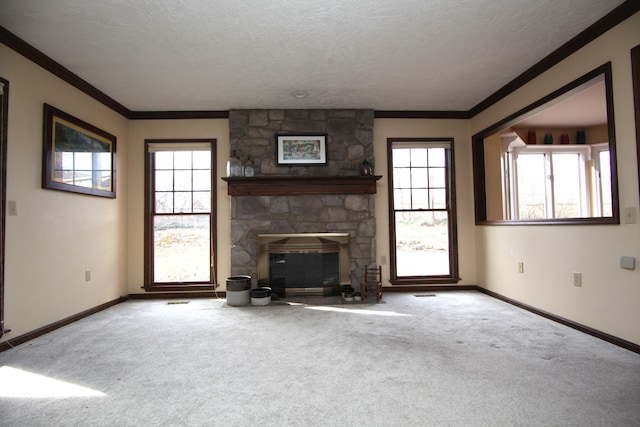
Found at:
(318, 199)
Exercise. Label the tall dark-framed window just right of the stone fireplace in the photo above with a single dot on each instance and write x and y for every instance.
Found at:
(422, 211)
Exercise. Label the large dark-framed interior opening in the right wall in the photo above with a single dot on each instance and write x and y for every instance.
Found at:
(561, 110)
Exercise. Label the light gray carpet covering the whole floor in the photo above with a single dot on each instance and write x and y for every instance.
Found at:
(451, 359)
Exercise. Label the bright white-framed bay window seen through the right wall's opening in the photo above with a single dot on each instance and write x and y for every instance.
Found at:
(545, 182)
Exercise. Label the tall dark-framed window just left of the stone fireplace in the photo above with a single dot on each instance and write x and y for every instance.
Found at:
(180, 219)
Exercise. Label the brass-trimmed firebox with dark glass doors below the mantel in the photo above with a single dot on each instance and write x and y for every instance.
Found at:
(304, 264)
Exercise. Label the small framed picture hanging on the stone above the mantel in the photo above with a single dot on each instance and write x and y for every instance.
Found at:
(301, 150)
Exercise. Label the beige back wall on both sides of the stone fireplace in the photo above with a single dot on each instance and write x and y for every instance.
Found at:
(218, 129)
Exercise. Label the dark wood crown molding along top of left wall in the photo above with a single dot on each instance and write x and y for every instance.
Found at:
(55, 68)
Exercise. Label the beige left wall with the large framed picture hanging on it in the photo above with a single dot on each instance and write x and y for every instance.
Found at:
(57, 235)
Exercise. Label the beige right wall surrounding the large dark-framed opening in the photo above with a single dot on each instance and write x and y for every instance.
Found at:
(607, 301)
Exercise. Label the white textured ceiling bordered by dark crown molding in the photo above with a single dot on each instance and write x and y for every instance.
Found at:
(181, 55)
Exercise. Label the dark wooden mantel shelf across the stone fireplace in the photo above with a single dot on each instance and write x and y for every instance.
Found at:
(301, 185)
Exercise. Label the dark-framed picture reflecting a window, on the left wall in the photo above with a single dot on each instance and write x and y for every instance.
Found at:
(77, 156)
